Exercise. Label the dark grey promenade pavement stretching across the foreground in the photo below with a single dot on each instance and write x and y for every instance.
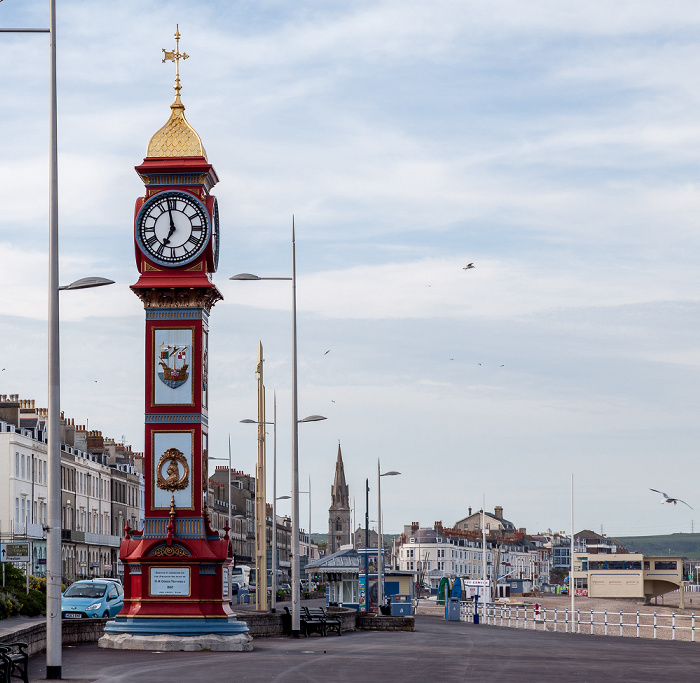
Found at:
(437, 652)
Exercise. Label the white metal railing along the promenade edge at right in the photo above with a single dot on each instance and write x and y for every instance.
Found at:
(637, 624)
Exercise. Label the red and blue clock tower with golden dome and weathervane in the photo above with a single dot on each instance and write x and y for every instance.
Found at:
(176, 566)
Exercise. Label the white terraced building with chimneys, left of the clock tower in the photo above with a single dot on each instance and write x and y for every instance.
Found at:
(89, 544)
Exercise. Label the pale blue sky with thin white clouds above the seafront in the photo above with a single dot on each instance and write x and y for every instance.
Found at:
(554, 144)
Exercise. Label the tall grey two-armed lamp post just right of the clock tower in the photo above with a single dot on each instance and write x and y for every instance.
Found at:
(296, 616)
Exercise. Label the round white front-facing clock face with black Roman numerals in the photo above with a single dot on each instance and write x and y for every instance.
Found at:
(172, 228)
